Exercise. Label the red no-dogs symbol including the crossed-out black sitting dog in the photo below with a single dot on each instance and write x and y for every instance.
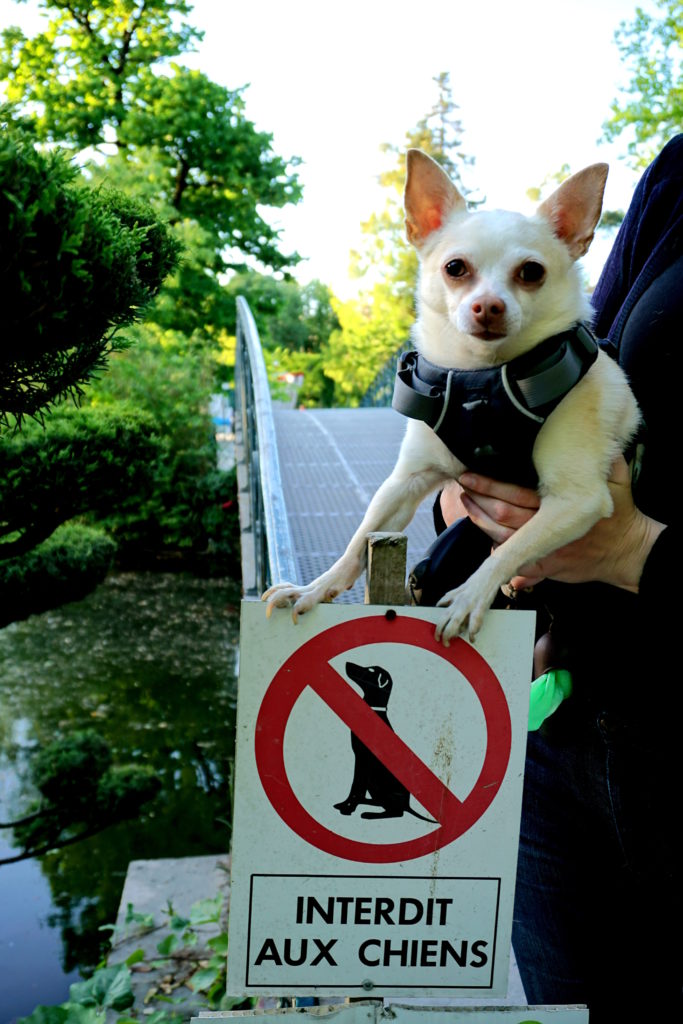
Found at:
(386, 766)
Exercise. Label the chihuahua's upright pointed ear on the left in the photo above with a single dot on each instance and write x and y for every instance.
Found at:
(431, 197)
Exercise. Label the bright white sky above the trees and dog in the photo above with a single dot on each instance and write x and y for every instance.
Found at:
(534, 80)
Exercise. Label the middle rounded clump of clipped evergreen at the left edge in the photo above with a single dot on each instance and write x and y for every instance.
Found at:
(87, 459)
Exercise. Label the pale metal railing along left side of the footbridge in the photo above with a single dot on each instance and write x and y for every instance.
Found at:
(268, 553)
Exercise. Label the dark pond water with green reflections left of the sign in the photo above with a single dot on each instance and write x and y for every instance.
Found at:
(149, 662)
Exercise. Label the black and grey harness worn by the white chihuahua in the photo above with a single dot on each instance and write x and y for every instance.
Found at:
(490, 418)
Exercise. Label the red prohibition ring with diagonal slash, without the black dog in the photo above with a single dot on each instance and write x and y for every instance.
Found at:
(310, 667)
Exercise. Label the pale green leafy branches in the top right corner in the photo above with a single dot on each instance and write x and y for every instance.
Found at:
(651, 48)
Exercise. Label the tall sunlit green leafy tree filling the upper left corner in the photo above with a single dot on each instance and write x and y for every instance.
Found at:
(95, 77)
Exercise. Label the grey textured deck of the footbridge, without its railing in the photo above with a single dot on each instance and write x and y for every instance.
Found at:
(332, 461)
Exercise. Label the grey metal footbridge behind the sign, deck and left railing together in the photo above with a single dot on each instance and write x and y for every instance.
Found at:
(306, 478)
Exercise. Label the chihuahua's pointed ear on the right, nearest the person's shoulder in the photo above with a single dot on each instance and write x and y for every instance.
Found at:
(574, 209)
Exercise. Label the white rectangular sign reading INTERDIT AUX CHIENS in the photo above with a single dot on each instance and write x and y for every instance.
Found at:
(378, 791)
